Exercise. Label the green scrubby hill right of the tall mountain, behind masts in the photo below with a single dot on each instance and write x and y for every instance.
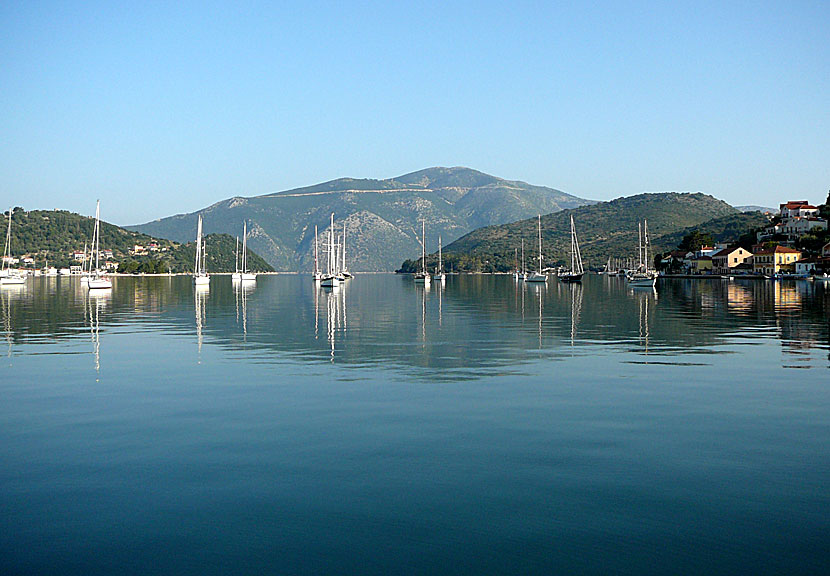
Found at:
(606, 229)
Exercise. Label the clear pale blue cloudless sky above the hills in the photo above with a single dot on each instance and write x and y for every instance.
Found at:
(160, 107)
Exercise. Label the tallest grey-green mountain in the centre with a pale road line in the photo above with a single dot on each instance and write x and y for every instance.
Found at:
(382, 217)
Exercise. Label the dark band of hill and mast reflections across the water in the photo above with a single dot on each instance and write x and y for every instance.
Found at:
(473, 326)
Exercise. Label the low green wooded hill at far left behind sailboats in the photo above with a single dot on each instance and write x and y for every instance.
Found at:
(54, 235)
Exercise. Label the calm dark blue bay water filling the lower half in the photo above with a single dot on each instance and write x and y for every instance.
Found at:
(488, 427)
